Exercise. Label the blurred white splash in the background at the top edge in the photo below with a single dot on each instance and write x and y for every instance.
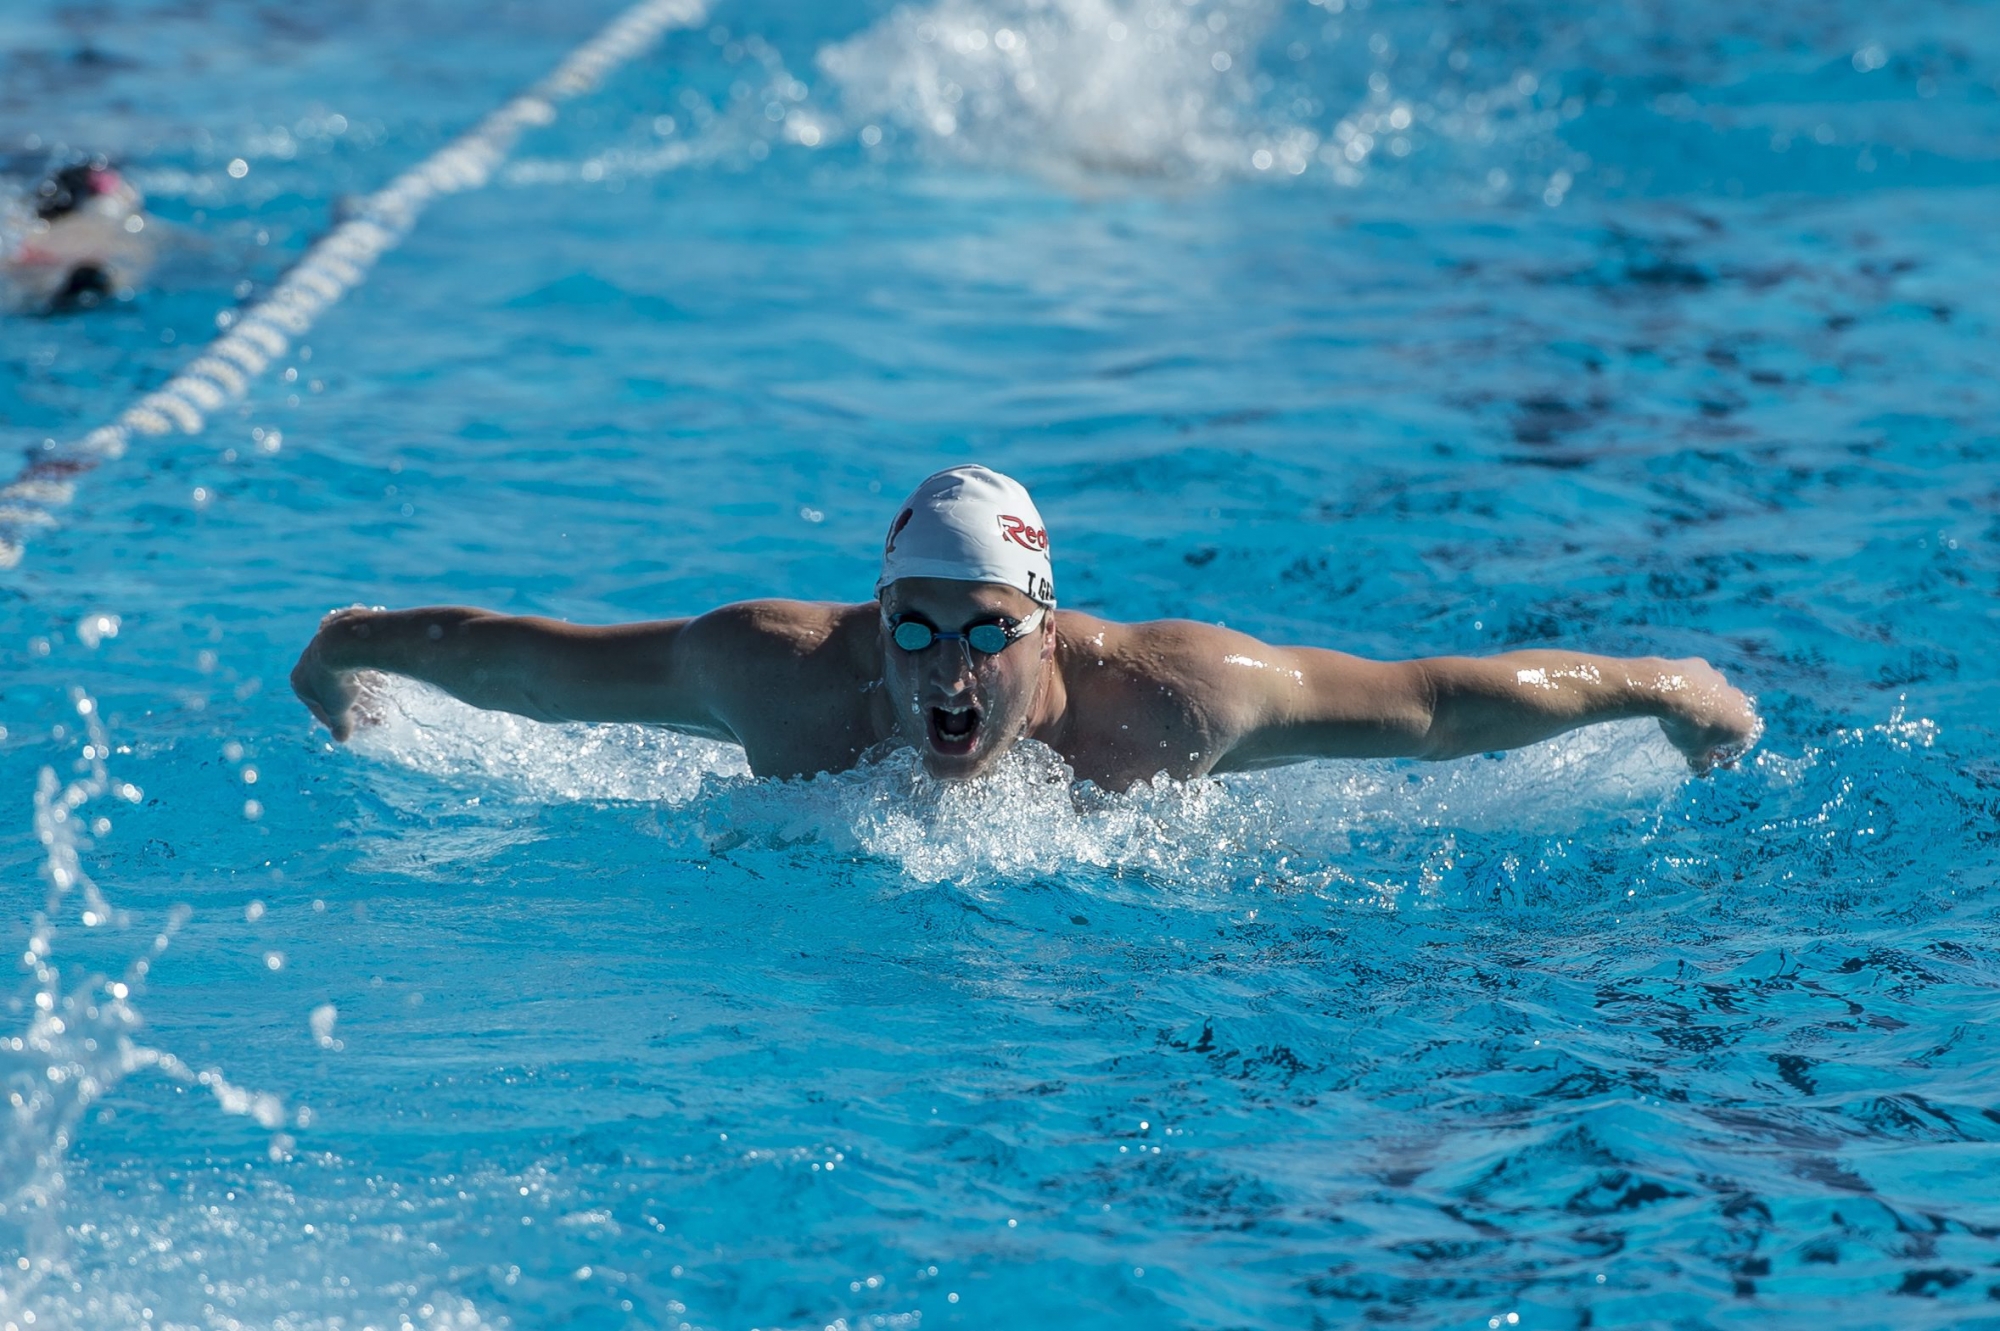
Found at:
(1239, 89)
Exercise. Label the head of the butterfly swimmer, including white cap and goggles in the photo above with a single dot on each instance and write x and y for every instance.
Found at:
(967, 619)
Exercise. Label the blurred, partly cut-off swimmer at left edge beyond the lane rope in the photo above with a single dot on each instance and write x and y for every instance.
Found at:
(87, 241)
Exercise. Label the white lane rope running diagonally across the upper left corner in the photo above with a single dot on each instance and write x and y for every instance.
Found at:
(335, 265)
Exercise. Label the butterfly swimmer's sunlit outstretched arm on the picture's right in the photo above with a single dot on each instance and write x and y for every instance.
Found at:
(1327, 704)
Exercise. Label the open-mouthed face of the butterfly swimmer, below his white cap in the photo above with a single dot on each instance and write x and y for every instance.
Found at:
(957, 706)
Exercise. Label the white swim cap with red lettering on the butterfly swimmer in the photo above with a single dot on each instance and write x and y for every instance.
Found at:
(971, 525)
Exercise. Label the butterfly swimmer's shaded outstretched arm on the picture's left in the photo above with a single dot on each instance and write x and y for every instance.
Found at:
(539, 668)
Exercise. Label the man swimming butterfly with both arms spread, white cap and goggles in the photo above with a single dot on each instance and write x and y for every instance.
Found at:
(963, 655)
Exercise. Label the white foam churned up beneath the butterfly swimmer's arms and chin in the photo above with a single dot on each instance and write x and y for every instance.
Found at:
(1583, 822)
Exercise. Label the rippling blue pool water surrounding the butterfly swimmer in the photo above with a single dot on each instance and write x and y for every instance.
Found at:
(1635, 329)
